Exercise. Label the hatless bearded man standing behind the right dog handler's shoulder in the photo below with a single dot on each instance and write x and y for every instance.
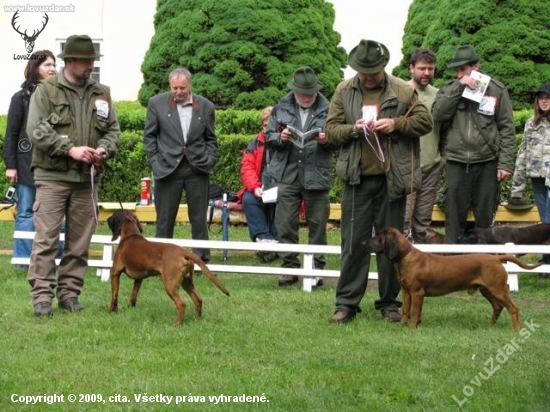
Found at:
(418, 214)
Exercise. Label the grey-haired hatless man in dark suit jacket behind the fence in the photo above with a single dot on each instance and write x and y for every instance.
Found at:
(182, 149)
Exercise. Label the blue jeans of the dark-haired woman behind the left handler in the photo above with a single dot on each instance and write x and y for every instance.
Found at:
(24, 220)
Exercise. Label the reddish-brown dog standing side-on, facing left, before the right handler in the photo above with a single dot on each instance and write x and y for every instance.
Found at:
(426, 274)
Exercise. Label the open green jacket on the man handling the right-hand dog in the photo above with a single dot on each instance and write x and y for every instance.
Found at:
(396, 100)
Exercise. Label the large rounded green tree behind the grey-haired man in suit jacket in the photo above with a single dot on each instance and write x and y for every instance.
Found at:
(242, 53)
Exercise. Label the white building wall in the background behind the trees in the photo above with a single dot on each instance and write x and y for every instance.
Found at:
(125, 28)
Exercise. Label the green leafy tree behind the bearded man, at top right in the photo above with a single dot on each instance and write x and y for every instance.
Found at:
(512, 38)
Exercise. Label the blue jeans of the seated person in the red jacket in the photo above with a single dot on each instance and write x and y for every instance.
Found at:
(260, 218)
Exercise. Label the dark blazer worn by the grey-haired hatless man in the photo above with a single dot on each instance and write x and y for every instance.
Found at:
(163, 137)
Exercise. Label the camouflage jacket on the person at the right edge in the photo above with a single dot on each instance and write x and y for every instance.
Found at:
(533, 158)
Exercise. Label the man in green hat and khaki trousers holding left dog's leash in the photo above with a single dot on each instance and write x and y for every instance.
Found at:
(74, 130)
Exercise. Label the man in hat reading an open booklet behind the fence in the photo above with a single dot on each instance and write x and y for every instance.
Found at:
(302, 172)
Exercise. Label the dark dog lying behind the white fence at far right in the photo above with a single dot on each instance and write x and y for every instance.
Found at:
(528, 235)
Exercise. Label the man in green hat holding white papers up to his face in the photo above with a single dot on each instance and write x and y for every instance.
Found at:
(478, 144)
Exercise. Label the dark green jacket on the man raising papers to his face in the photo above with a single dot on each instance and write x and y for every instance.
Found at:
(472, 136)
